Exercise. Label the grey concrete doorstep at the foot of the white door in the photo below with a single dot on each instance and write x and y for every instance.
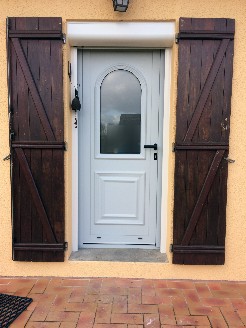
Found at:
(119, 255)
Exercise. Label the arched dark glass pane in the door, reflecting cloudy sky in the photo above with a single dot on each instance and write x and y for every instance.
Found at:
(120, 122)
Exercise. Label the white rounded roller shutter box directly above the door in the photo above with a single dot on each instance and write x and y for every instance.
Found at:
(121, 34)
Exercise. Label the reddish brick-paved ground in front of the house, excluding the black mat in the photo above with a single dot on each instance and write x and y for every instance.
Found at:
(128, 303)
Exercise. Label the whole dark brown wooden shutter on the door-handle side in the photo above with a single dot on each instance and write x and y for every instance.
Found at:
(202, 137)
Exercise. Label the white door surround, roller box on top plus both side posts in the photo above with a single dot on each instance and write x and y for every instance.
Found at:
(130, 35)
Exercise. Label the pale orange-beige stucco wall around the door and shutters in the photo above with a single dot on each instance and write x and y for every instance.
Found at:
(144, 10)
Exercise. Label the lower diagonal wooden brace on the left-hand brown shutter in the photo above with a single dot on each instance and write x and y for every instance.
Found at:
(35, 195)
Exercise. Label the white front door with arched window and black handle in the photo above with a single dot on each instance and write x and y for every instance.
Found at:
(120, 146)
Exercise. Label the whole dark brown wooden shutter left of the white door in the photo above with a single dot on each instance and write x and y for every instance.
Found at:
(37, 138)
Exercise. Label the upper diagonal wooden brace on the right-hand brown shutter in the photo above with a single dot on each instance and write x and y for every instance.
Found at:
(206, 90)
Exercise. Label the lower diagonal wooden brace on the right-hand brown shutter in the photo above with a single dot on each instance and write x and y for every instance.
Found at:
(202, 197)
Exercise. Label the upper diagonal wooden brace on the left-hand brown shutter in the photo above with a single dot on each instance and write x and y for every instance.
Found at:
(33, 89)
